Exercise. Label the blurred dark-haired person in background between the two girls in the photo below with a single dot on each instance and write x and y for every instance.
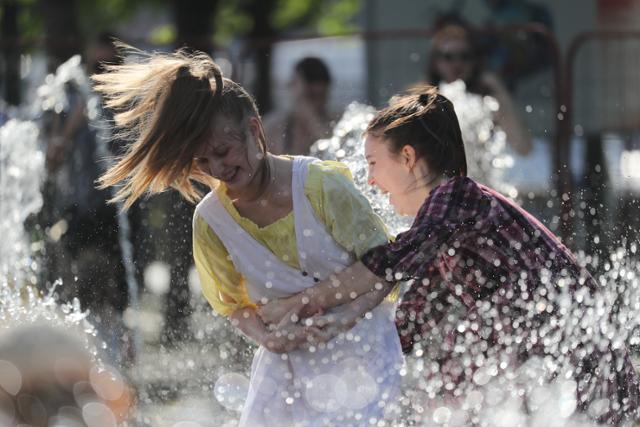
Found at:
(308, 118)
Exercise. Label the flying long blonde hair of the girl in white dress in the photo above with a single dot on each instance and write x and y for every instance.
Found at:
(164, 106)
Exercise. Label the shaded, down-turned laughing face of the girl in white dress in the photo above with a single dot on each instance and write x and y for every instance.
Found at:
(232, 154)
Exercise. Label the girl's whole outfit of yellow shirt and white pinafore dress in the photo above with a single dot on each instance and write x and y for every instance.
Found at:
(347, 381)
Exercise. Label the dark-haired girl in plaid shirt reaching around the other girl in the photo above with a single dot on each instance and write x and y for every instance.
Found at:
(492, 291)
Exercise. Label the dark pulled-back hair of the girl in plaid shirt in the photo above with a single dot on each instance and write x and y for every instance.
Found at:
(426, 121)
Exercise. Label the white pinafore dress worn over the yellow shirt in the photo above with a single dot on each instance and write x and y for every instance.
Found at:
(350, 380)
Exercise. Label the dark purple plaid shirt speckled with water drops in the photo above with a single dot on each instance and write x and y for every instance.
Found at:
(487, 276)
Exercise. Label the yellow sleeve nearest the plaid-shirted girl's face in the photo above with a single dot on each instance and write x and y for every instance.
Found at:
(344, 210)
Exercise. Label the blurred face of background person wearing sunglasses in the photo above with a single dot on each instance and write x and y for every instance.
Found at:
(454, 60)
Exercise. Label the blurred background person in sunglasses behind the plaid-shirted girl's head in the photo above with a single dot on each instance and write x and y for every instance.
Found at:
(455, 57)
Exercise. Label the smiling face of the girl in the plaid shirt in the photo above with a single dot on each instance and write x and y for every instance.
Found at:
(393, 174)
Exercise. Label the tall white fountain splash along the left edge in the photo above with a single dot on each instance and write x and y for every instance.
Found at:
(22, 175)
